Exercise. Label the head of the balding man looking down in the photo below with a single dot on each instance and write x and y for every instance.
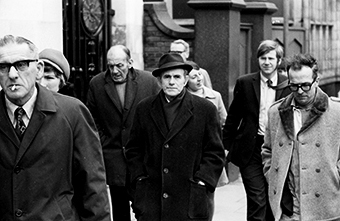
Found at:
(119, 64)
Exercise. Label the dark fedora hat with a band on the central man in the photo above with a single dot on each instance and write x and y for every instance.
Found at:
(171, 61)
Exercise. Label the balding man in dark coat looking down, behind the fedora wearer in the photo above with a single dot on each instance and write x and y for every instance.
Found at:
(112, 99)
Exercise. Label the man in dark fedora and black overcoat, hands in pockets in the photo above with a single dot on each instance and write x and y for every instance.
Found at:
(175, 153)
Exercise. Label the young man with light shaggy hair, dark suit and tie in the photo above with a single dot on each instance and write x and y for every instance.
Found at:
(245, 125)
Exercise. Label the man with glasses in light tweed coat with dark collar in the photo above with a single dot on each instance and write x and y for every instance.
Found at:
(301, 148)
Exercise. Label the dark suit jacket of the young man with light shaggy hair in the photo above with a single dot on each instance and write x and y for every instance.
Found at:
(241, 126)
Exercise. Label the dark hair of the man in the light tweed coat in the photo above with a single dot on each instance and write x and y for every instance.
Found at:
(297, 61)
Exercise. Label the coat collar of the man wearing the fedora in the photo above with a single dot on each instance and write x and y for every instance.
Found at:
(184, 114)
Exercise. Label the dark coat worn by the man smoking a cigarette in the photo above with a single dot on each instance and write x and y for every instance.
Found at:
(57, 171)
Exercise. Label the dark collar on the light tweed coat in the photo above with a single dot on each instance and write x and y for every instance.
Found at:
(319, 106)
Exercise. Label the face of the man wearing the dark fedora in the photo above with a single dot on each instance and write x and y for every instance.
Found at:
(173, 82)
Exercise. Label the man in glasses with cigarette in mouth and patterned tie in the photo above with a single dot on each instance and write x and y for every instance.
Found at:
(51, 162)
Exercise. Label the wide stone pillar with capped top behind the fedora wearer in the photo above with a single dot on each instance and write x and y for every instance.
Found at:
(217, 27)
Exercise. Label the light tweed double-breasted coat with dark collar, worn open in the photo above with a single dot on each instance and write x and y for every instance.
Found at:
(318, 144)
